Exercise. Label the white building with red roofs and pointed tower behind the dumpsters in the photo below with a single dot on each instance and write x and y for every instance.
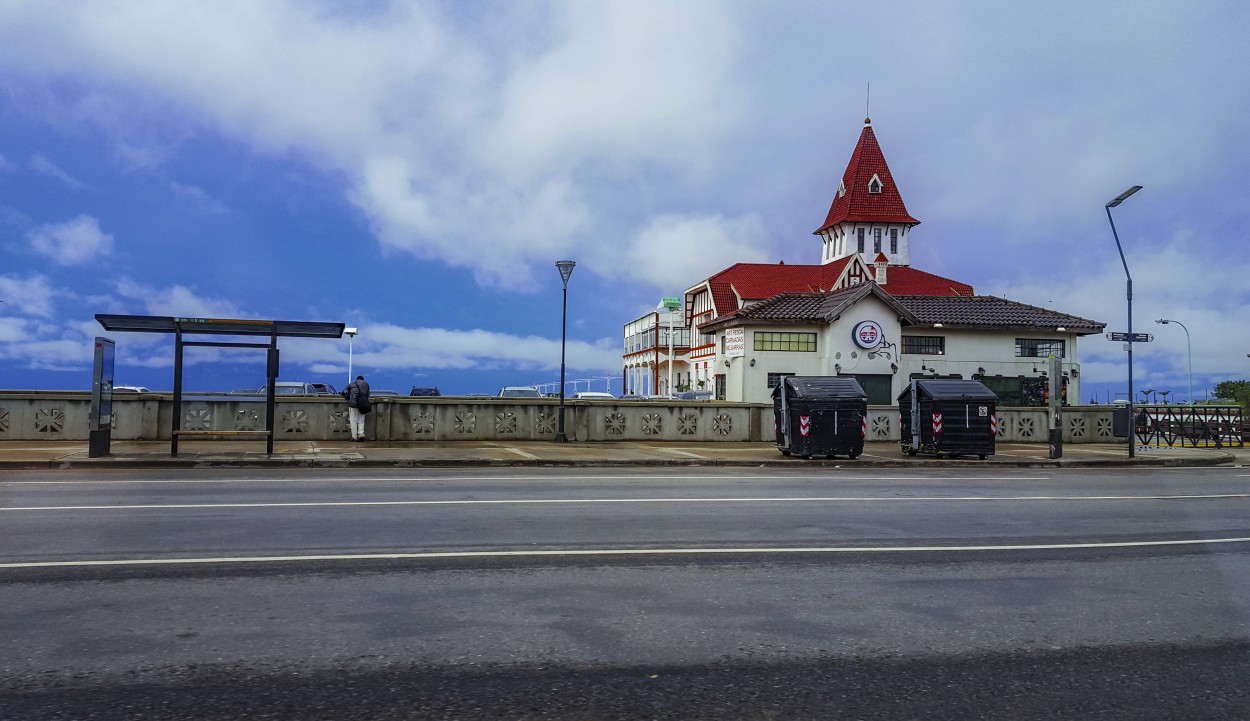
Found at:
(803, 319)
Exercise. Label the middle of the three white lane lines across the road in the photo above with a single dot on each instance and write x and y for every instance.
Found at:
(603, 502)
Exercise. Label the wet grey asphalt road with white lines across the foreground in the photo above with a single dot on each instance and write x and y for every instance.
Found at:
(619, 594)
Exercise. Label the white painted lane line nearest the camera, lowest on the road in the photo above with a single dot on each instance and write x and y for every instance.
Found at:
(812, 550)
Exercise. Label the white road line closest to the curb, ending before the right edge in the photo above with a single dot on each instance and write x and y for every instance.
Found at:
(708, 477)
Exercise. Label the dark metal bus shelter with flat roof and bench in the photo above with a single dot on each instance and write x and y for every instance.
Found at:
(204, 327)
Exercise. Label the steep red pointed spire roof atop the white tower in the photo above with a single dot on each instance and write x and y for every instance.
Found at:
(858, 204)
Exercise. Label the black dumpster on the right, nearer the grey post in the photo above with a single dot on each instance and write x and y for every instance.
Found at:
(948, 418)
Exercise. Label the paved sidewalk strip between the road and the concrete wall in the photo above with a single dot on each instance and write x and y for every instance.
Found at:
(43, 455)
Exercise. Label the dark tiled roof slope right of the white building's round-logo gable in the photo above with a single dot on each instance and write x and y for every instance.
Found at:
(988, 311)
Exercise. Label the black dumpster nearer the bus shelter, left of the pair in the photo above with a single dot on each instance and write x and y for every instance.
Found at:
(821, 417)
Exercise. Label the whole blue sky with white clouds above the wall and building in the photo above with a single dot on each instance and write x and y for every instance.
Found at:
(417, 169)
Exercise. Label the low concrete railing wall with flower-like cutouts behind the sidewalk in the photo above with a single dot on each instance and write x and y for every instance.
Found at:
(62, 415)
